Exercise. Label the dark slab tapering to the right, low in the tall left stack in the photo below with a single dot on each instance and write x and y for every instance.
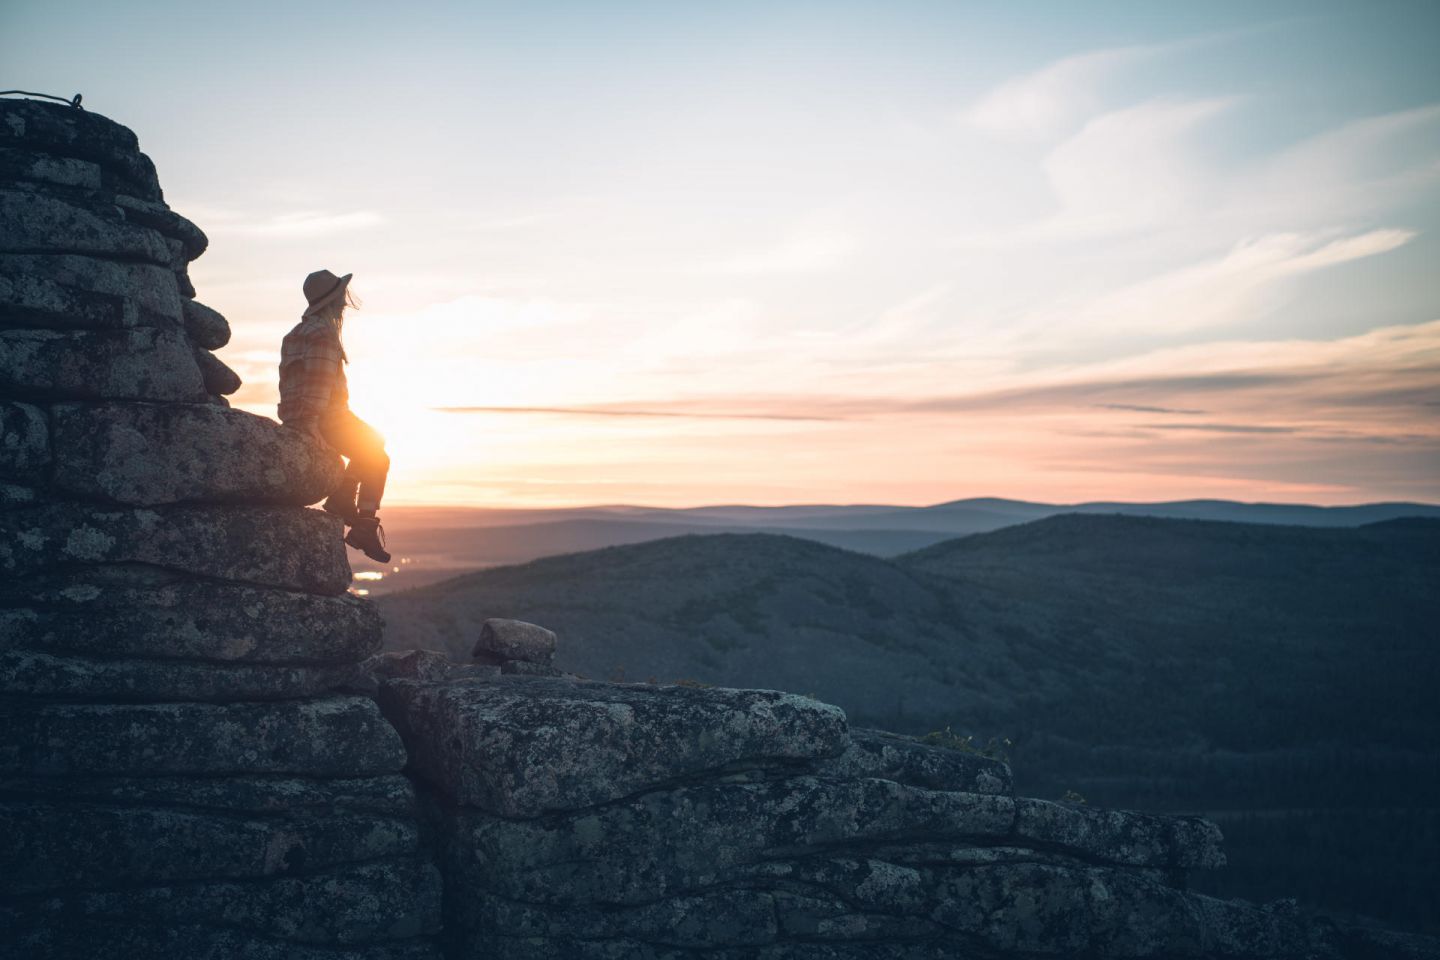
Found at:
(64, 846)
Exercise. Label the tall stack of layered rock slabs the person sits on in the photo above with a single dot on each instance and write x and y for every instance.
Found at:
(179, 776)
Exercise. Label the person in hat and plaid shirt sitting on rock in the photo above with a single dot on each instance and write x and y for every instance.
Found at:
(316, 401)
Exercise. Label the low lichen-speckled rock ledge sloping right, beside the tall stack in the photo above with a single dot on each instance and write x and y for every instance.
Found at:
(610, 821)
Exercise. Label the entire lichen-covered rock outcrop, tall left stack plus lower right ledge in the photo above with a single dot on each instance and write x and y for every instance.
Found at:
(197, 764)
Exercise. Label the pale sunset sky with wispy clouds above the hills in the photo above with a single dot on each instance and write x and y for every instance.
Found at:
(683, 254)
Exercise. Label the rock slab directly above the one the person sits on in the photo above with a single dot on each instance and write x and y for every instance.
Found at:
(148, 363)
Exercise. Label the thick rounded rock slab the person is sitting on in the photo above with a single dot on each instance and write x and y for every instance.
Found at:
(146, 454)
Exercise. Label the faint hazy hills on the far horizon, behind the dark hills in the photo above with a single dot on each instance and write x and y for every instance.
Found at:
(443, 542)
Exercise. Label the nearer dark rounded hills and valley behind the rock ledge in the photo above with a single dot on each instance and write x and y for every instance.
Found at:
(1281, 679)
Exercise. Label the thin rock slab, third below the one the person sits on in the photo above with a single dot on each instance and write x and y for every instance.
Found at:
(50, 677)
